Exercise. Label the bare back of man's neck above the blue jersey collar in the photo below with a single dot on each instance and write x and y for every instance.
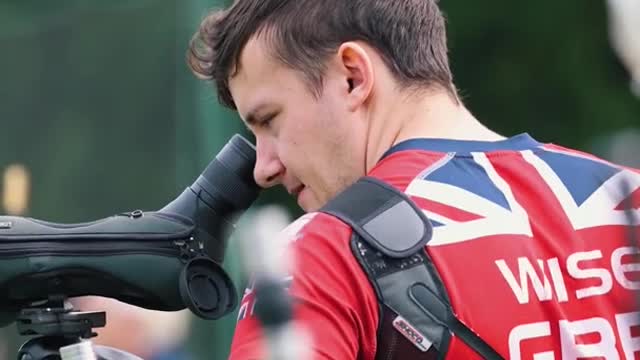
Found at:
(434, 115)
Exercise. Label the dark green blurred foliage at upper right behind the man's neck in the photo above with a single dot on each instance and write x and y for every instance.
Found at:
(545, 67)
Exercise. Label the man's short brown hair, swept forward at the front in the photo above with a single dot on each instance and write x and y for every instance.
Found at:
(409, 35)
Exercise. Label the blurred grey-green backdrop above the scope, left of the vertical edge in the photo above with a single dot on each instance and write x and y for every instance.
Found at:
(87, 105)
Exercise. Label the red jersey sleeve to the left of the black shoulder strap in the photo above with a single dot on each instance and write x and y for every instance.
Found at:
(334, 299)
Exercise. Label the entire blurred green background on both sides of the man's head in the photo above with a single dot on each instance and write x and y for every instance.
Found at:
(96, 102)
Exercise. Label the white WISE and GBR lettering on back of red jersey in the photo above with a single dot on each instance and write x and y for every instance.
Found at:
(580, 266)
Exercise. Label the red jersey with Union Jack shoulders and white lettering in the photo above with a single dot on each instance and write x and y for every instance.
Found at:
(532, 242)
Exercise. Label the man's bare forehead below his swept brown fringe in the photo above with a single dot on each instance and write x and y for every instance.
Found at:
(260, 77)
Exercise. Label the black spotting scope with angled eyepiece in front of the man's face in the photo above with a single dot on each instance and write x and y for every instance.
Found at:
(166, 260)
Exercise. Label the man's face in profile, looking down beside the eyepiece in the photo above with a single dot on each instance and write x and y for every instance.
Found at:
(314, 147)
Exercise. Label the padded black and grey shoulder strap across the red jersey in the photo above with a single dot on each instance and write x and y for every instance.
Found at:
(390, 233)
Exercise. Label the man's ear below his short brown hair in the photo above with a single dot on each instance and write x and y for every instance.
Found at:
(358, 73)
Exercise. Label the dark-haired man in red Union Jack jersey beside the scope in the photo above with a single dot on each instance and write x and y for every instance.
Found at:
(530, 239)
